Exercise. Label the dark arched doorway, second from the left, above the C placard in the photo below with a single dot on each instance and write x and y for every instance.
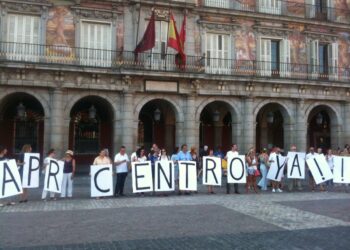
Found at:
(91, 128)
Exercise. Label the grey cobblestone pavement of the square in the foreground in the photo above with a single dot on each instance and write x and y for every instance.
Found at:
(300, 220)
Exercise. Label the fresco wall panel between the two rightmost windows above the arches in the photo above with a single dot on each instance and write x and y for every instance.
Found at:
(297, 44)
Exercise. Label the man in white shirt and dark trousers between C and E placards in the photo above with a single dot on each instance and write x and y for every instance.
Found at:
(121, 161)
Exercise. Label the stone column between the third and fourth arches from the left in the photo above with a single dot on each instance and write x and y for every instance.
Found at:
(191, 125)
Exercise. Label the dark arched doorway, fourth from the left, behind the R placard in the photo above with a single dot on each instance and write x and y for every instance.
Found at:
(216, 126)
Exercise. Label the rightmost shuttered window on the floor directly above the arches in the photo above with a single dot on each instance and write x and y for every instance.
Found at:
(323, 60)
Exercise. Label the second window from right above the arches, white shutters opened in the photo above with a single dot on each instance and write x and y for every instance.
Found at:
(273, 57)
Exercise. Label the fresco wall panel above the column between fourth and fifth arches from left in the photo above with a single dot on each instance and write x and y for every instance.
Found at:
(245, 44)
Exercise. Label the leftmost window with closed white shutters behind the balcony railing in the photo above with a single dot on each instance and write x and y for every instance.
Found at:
(23, 37)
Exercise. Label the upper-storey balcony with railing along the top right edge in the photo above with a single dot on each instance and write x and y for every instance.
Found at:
(279, 7)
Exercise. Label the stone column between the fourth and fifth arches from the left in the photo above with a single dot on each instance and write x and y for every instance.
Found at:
(249, 126)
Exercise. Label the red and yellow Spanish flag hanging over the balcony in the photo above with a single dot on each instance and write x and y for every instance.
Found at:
(175, 42)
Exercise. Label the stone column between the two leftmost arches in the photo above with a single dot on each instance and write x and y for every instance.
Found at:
(57, 119)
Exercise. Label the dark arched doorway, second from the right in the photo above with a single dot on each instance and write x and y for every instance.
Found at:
(270, 124)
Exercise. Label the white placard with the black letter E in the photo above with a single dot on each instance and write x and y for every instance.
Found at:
(142, 180)
